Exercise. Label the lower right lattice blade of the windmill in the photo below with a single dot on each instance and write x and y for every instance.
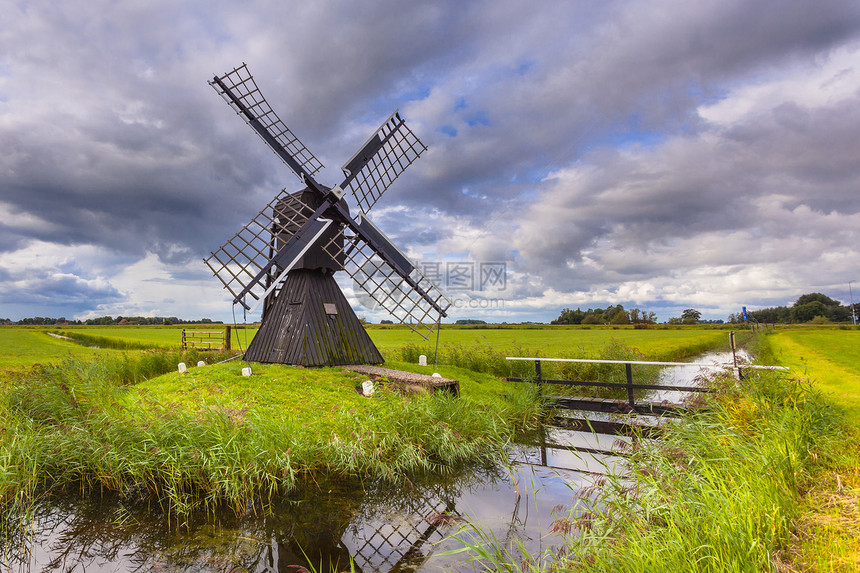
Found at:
(416, 302)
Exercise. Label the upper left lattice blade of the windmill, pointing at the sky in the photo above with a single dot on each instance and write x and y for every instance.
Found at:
(252, 106)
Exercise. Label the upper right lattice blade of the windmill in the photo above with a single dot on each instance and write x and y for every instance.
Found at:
(380, 161)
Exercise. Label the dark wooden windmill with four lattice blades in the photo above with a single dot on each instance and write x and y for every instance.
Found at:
(286, 256)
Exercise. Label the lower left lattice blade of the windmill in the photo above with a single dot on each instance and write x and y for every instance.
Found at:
(238, 261)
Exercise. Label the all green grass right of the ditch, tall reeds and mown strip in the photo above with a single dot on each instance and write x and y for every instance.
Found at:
(767, 478)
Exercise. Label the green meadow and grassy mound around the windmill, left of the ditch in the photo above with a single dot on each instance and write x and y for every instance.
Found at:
(129, 421)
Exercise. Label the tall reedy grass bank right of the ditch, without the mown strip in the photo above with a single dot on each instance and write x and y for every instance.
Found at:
(719, 492)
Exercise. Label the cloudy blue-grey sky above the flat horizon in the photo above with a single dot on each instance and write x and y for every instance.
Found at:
(655, 154)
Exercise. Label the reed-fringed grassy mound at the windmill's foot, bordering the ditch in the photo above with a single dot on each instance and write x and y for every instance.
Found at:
(213, 436)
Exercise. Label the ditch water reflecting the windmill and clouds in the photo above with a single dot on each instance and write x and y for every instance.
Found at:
(328, 522)
